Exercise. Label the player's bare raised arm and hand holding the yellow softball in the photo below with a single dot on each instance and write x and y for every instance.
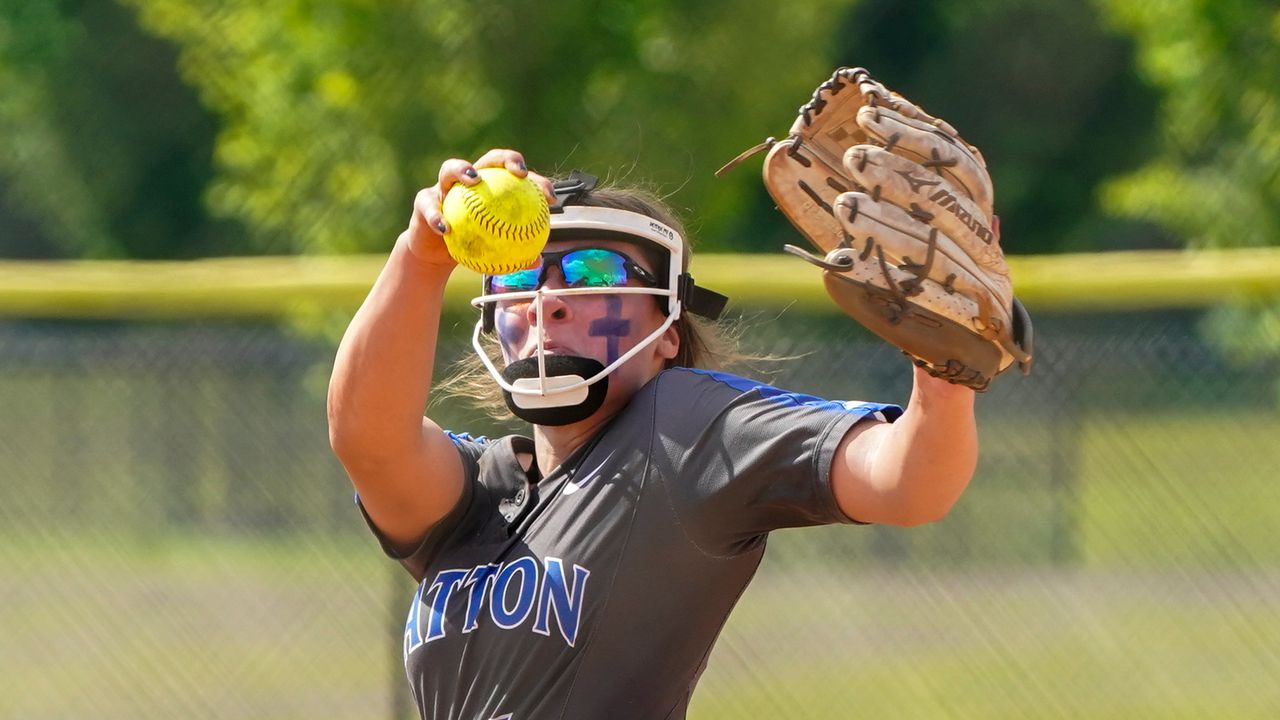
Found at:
(404, 466)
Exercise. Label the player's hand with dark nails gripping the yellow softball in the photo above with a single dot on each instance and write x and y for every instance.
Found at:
(427, 227)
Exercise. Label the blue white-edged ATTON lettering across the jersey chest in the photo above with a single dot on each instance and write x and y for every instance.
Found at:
(513, 593)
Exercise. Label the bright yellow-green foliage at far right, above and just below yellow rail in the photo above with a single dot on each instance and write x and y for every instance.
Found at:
(1217, 179)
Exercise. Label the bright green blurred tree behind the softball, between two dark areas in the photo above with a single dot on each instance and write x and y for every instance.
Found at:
(335, 113)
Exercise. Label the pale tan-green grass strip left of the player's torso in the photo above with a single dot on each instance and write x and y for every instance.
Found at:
(100, 626)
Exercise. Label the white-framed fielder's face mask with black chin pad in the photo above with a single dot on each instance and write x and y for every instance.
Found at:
(560, 390)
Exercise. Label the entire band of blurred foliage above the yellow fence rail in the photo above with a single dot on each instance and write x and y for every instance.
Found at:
(173, 129)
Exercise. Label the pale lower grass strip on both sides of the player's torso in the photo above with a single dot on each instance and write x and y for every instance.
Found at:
(231, 630)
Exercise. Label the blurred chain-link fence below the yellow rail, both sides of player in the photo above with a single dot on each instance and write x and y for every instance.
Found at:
(177, 540)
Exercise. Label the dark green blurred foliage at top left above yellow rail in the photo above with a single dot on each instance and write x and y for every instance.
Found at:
(104, 149)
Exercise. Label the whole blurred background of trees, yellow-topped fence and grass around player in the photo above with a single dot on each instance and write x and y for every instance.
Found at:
(195, 195)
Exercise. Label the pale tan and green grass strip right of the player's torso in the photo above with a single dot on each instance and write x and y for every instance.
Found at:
(1000, 645)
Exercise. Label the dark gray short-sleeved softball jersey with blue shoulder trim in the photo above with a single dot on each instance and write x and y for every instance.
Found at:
(600, 590)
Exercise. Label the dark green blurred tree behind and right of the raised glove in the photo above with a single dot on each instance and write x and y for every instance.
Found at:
(1049, 95)
